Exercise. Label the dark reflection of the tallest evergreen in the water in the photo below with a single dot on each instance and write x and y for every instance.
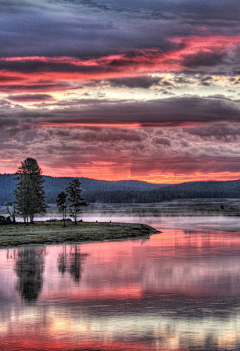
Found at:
(29, 269)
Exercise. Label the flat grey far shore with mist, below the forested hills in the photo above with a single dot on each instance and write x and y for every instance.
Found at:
(179, 207)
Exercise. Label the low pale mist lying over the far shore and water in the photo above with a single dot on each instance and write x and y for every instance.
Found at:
(185, 214)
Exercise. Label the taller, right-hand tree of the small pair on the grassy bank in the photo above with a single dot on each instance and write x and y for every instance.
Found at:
(75, 200)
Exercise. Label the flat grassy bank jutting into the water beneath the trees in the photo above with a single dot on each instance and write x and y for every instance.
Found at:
(54, 232)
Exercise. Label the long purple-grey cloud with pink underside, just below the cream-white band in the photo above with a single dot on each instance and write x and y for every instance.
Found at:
(165, 112)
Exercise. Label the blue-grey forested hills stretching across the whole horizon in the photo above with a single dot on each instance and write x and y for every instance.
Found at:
(127, 191)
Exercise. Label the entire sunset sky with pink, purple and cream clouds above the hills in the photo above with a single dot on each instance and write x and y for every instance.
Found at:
(114, 89)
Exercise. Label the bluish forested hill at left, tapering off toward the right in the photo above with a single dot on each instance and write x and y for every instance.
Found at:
(53, 185)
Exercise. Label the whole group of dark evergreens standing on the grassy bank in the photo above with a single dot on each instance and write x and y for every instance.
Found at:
(30, 195)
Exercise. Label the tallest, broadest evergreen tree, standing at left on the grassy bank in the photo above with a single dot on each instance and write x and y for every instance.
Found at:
(29, 193)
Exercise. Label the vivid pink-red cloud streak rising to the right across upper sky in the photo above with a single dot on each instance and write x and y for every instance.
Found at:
(141, 62)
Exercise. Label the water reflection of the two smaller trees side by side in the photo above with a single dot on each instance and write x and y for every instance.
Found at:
(72, 262)
